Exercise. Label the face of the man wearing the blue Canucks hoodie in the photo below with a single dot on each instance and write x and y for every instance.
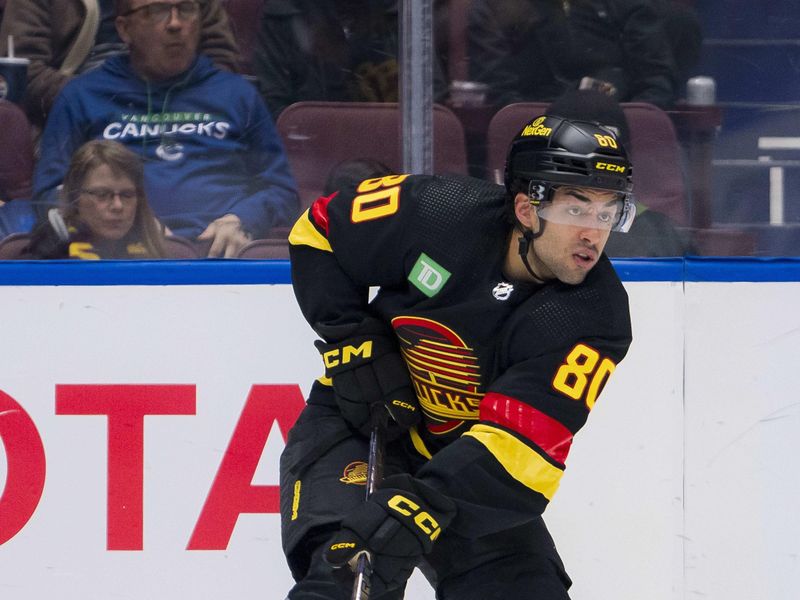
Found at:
(162, 36)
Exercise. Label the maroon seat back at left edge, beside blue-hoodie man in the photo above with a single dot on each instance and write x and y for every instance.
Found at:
(16, 153)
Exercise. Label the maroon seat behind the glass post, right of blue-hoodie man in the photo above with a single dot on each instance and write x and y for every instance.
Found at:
(319, 135)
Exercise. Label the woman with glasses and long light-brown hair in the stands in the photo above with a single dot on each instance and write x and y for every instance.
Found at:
(104, 212)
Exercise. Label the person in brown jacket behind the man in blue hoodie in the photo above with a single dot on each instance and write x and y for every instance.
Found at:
(63, 38)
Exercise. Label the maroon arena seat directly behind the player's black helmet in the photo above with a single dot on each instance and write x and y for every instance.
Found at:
(655, 152)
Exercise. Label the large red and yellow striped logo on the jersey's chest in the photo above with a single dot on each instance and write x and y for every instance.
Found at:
(444, 371)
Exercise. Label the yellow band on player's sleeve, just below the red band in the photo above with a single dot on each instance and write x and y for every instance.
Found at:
(522, 463)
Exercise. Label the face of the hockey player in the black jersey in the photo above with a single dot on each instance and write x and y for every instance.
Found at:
(576, 225)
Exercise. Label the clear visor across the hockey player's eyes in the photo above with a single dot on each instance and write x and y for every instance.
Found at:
(616, 215)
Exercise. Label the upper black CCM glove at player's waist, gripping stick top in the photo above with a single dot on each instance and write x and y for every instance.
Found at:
(368, 371)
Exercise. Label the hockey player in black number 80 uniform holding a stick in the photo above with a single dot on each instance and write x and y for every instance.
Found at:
(497, 323)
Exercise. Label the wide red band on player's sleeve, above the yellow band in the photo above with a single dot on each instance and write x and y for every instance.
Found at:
(544, 431)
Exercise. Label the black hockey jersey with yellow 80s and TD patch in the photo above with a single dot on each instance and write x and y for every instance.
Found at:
(506, 372)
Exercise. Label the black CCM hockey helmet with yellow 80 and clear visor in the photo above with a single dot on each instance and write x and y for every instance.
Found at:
(551, 151)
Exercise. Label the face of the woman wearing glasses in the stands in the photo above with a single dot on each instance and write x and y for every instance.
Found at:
(107, 203)
